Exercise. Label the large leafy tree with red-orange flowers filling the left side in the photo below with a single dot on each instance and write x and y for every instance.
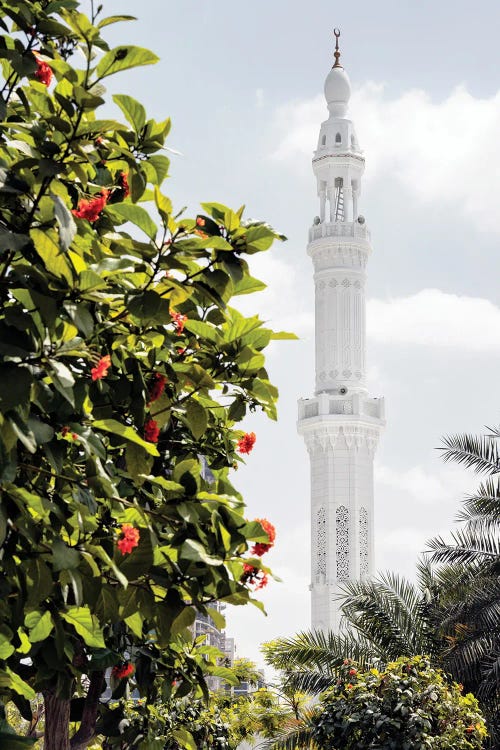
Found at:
(123, 372)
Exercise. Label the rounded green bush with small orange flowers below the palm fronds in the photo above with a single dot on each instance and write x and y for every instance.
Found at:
(406, 706)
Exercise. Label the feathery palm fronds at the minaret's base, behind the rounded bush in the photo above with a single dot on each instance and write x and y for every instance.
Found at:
(383, 618)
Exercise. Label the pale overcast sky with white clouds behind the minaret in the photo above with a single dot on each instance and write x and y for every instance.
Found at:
(243, 84)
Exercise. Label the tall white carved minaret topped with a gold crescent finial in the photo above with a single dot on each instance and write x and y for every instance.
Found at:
(341, 423)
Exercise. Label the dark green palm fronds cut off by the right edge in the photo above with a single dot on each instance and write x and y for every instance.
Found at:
(469, 567)
